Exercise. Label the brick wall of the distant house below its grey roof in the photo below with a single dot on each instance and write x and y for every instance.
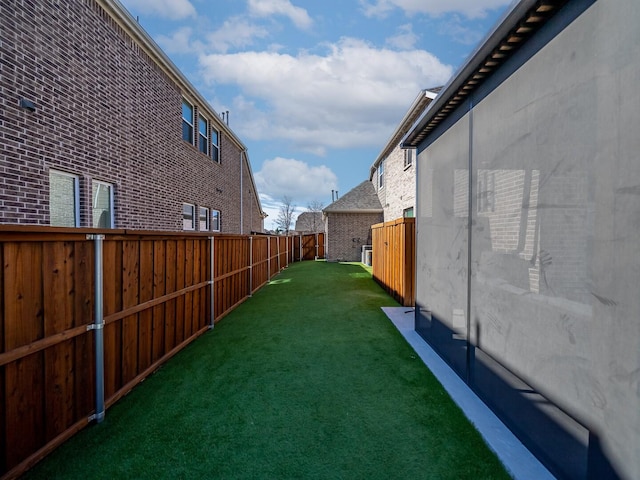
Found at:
(347, 233)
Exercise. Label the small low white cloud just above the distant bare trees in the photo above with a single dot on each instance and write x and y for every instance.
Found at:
(298, 180)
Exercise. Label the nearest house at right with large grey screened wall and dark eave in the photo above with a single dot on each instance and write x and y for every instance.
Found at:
(528, 243)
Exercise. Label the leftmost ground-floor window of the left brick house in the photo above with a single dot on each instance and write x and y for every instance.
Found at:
(64, 205)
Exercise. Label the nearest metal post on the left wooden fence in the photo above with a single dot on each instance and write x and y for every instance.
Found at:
(98, 325)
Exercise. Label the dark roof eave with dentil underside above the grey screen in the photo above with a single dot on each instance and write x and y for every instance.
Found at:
(516, 25)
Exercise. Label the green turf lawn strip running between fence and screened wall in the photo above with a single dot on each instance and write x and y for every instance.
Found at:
(307, 379)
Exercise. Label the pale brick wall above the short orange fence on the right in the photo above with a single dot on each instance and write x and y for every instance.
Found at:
(399, 191)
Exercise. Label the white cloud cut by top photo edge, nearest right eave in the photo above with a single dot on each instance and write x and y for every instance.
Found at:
(469, 8)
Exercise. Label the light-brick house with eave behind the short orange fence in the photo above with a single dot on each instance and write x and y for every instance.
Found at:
(393, 174)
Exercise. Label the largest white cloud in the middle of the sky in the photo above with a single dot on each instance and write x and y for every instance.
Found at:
(352, 96)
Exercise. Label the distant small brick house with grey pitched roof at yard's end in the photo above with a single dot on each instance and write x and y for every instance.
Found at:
(348, 223)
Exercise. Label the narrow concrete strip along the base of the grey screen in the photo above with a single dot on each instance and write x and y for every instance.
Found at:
(518, 461)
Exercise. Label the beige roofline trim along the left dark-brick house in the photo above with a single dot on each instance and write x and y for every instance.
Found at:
(123, 18)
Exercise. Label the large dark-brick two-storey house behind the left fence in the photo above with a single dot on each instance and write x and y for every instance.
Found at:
(100, 129)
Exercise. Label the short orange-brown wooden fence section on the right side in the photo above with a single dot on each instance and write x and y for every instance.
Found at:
(394, 258)
